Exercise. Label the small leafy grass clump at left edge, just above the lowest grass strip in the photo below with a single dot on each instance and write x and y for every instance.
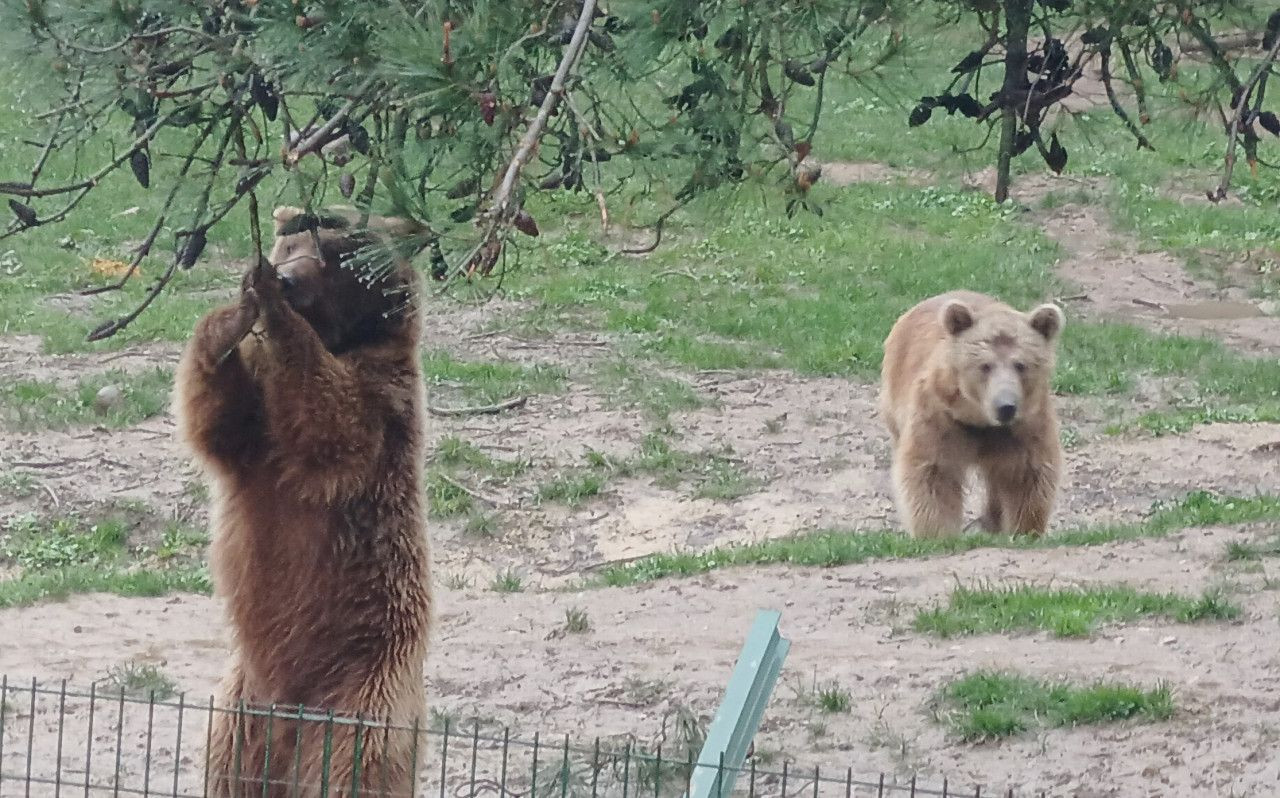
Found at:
(45, 544)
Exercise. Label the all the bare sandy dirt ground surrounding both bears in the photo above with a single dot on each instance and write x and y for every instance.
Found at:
(820, 455)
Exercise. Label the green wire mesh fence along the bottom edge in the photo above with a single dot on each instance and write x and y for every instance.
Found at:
(57, 741)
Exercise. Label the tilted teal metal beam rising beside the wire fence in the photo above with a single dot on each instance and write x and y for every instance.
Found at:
(740, 712)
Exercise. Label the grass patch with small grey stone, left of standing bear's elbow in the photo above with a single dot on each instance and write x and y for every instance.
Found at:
(143, 395)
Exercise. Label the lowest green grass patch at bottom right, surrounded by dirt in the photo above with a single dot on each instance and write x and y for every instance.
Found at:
(991, 705)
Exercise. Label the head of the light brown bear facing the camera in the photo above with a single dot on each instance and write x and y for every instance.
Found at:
(1003, 359)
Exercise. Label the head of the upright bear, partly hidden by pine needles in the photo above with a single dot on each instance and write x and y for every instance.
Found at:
(353, 286)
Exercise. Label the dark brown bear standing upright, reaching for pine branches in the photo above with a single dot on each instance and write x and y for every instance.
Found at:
(304, 402)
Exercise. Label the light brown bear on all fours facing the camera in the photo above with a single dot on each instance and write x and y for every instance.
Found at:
(966, 385)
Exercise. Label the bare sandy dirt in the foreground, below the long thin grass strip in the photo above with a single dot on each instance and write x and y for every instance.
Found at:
(638, 664)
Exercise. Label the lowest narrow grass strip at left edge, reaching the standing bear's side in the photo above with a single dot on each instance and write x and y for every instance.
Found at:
(38, 587)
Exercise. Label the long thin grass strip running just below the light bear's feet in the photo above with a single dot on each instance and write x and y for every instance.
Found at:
(833, 549)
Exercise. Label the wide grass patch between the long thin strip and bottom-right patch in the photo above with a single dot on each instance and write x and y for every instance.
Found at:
(1064, 613)
